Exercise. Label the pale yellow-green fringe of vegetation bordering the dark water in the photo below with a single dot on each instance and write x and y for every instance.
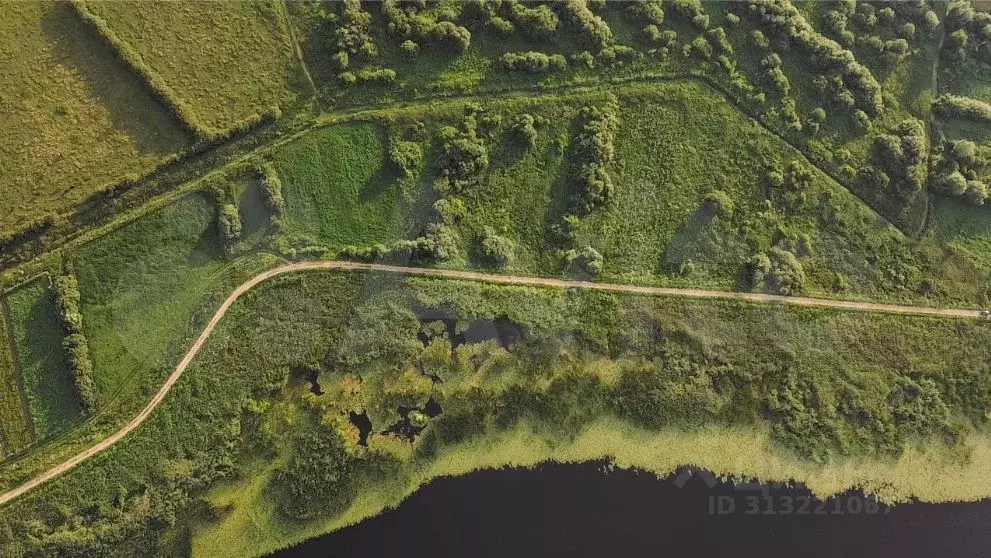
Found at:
(252, 527)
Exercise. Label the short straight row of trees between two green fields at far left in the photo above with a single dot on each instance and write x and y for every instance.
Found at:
(74, 345)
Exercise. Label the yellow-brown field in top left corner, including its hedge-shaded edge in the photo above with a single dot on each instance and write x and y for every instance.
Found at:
(71, 116)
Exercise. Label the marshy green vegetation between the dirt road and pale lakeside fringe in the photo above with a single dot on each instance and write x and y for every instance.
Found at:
(490, 359)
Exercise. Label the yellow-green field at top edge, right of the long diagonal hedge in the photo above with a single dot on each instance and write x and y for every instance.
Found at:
(228, 60)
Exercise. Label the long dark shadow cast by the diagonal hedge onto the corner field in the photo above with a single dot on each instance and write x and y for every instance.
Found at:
(131, 107)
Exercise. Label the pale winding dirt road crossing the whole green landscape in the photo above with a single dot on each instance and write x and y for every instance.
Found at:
(464, 275)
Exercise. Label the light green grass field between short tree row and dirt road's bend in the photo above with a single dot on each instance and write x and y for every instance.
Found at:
(141, 286)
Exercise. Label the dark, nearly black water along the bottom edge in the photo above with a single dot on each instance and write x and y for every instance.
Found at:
(577, 511)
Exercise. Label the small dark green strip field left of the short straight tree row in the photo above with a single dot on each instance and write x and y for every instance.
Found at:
(47, 378)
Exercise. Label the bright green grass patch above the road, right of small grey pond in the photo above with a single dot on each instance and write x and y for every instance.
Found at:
(339, 190)
